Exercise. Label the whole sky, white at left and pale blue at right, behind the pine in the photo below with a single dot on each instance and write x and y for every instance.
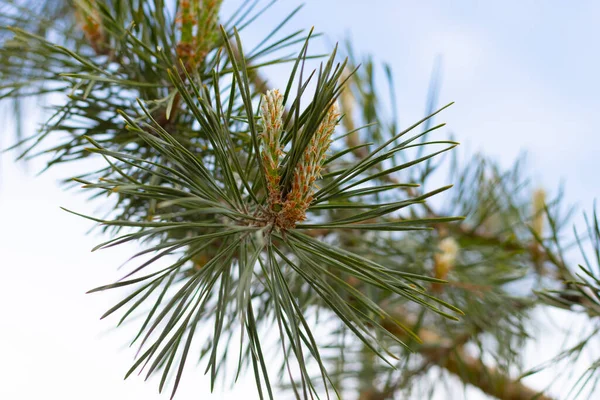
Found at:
(523, 75)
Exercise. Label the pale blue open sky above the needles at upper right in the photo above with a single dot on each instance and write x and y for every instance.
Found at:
(523, 74)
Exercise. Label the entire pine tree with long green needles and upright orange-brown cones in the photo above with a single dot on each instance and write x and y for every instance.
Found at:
(299, 210)
